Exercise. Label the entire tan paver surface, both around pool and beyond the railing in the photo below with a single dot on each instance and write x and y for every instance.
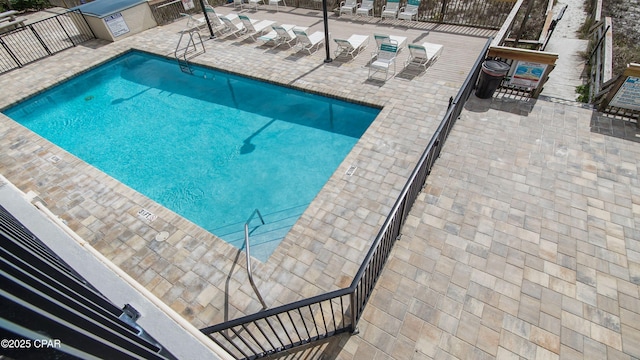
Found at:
(524, 243)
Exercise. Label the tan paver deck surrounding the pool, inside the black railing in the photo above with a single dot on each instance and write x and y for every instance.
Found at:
(197, 274)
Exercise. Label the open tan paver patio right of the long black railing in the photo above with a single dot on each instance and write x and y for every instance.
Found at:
(523, 244)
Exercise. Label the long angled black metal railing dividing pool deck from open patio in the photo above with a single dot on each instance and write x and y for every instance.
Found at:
(305, 321)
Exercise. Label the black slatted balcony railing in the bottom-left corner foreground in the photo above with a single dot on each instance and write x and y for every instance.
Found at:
(43, 298)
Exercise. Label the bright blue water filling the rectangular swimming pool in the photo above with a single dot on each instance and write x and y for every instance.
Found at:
(212, 147)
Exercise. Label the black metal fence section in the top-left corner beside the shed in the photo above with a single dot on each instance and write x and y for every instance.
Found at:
(43, 38)
